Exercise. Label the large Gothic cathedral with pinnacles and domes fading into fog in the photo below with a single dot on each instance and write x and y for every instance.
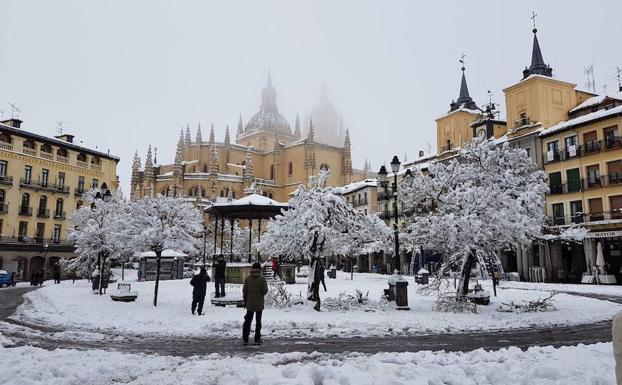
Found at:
(266, 156)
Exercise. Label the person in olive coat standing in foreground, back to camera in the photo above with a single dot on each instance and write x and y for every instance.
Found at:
(254, 290)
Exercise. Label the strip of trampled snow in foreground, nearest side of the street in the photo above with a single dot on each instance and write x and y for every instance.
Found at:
(575, 365)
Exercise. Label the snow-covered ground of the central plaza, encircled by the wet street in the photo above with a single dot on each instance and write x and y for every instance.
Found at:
(72, 307)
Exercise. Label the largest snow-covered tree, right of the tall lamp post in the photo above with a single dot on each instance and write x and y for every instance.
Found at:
(489, 198)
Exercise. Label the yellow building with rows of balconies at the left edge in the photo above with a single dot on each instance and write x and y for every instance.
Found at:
(42, 180)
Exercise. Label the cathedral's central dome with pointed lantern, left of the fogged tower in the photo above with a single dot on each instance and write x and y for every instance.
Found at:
(268, 118)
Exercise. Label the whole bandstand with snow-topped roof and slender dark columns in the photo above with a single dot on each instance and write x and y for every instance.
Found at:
(251, 207)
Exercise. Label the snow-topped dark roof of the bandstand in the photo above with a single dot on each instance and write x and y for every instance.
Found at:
(252, 206)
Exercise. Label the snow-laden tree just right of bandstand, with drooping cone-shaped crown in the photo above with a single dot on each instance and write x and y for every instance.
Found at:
(318, 223)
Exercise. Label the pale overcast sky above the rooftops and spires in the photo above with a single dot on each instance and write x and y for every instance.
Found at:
(126, 74)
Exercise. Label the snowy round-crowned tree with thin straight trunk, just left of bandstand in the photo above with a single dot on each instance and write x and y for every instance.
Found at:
(159, 223)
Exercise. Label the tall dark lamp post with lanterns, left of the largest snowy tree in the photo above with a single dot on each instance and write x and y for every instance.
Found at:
(397, 284)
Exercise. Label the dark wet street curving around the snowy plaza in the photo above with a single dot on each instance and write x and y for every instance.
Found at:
(49, 338)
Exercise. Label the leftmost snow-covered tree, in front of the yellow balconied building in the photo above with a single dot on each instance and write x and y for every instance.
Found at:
(94, 232)
